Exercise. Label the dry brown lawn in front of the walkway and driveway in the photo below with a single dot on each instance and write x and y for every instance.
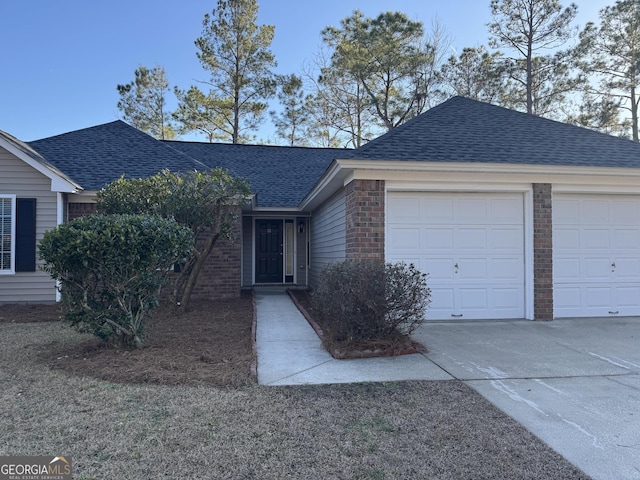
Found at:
(405, 430)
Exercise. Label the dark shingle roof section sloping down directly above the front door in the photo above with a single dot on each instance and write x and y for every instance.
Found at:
(279, 176)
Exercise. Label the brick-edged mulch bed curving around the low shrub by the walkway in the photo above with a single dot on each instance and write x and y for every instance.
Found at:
(392, 346)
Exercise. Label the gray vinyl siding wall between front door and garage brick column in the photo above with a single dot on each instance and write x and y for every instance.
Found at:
(328, 235)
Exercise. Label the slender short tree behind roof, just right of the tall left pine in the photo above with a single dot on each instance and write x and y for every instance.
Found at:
(292, 121)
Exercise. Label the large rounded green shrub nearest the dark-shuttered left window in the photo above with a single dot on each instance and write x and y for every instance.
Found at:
(111, 269)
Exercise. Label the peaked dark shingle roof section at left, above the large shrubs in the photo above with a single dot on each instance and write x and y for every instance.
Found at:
(96, 156)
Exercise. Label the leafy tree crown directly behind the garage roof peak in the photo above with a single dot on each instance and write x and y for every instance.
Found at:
(477, 74)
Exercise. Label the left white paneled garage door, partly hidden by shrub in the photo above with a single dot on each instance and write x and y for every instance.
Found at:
(470, 244)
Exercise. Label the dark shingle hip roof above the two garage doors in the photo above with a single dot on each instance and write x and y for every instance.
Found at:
(464, 130)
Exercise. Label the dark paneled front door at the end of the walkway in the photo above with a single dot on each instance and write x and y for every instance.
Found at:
(269, 251)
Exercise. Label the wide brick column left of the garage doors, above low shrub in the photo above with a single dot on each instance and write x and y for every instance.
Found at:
(365, 219)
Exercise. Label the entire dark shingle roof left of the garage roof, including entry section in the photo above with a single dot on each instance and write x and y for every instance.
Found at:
(96, 156)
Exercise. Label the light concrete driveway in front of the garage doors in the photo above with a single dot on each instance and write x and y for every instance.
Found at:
(574, 383)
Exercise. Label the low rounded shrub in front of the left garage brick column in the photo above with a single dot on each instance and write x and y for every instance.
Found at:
(367, 300)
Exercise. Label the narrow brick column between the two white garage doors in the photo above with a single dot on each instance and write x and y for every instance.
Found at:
(542, 252)
